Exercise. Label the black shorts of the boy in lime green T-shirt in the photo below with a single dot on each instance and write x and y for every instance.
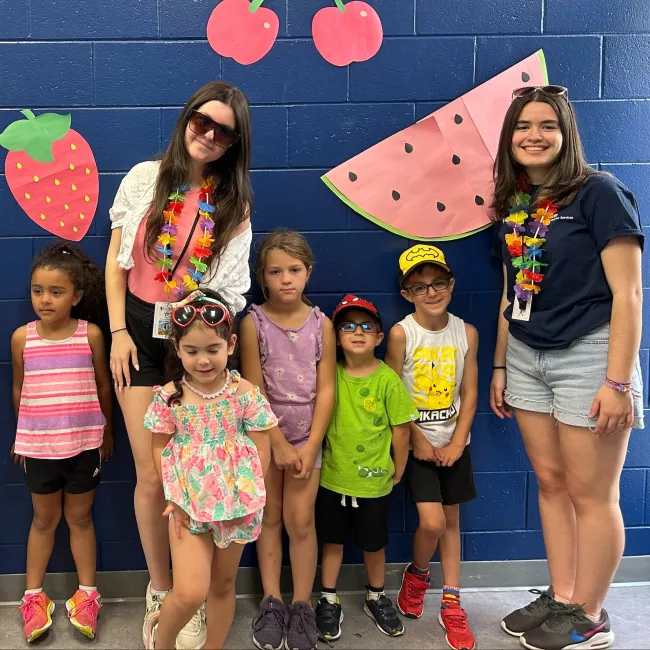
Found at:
(368, 522)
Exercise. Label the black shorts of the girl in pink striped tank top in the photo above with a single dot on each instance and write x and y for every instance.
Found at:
(77, 475)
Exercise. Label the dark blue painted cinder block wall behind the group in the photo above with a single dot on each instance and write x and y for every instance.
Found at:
(124, 68)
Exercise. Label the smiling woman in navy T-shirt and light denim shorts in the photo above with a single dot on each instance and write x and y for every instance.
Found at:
(566, 358)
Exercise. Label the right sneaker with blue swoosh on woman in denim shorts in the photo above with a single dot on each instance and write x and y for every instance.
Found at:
(570, 629)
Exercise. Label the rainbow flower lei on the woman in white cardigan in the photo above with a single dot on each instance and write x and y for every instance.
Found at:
(167, 239)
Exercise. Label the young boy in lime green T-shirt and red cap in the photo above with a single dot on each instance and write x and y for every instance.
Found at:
(370, 419)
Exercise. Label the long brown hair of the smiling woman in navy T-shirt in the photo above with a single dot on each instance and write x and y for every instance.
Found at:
(567, 175)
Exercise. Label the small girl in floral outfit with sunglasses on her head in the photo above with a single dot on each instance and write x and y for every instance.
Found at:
(211, 450)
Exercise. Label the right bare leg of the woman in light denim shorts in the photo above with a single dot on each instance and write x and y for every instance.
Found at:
(593, 472)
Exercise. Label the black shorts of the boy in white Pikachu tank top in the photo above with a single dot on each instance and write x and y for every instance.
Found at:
(429, 483)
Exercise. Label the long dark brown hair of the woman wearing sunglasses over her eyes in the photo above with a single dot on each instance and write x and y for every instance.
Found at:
(232, 196)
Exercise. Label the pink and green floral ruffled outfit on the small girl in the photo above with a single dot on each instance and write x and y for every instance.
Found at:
(210, 467)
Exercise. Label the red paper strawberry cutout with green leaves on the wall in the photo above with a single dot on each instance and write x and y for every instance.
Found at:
(51, 172)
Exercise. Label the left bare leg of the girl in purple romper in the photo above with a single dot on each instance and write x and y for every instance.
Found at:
(269, 543)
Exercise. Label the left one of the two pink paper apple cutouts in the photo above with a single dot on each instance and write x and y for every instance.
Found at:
(242, 30)
